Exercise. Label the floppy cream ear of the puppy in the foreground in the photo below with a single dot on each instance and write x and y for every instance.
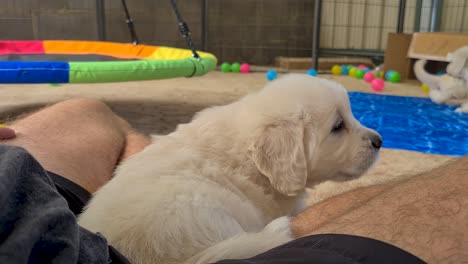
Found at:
(277, 150)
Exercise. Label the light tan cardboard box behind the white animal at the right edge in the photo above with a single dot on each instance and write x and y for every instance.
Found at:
(435, 45)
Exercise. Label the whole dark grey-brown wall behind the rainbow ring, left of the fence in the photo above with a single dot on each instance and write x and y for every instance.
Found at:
(254, 31)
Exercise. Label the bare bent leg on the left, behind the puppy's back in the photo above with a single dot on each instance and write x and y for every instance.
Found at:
(80, 139)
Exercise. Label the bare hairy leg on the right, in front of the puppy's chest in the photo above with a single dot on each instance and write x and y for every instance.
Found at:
(426, 215)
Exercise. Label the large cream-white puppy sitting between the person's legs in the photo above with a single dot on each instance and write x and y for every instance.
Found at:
(224, 185)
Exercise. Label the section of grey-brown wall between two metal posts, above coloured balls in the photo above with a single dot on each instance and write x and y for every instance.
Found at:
(260, 30)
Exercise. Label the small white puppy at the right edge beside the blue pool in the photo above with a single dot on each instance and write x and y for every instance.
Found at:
(450, 88)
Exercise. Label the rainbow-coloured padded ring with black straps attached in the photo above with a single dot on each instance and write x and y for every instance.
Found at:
(52, 61)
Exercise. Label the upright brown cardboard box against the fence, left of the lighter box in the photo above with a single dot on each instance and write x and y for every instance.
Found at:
(396, 55)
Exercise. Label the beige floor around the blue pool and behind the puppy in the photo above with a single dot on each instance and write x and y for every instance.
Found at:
(158, 106)
